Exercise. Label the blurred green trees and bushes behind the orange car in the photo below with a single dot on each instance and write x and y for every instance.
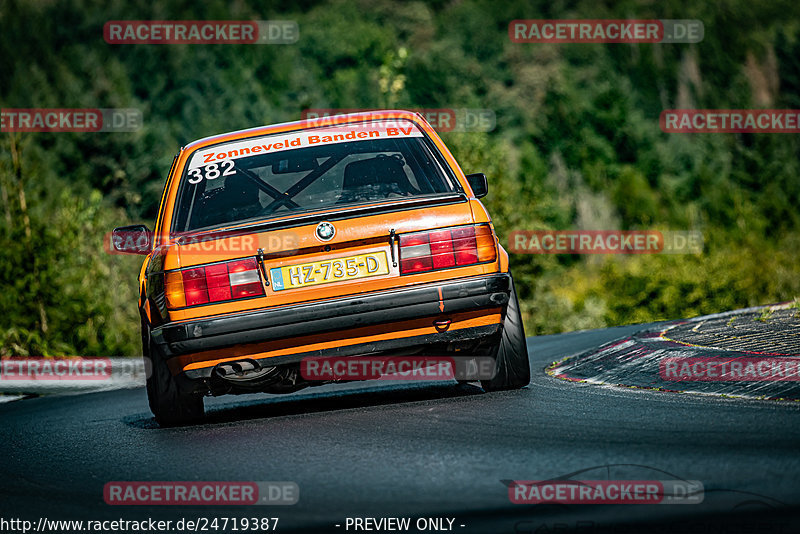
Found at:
(577, 145)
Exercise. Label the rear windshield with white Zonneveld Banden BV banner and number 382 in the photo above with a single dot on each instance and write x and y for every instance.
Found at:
(321, 168)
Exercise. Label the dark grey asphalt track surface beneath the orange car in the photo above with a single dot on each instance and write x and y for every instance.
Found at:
(419, 450)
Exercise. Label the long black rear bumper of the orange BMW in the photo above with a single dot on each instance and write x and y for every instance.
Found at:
(415, 302)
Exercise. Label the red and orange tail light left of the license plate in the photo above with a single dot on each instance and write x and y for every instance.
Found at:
(217, 282)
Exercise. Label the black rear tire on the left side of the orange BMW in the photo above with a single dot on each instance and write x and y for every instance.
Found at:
(172, 402)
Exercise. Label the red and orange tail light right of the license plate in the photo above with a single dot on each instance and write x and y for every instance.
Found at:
(443, 249)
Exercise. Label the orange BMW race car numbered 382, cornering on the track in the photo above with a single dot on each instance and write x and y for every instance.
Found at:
(340, 236)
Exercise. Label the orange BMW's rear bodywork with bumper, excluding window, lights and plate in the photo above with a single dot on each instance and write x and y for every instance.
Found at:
(289, 239)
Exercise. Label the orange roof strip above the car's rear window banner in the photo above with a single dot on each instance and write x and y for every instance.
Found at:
(306, 124)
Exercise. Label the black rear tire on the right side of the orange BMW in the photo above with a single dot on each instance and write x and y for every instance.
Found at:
(512, 368)
